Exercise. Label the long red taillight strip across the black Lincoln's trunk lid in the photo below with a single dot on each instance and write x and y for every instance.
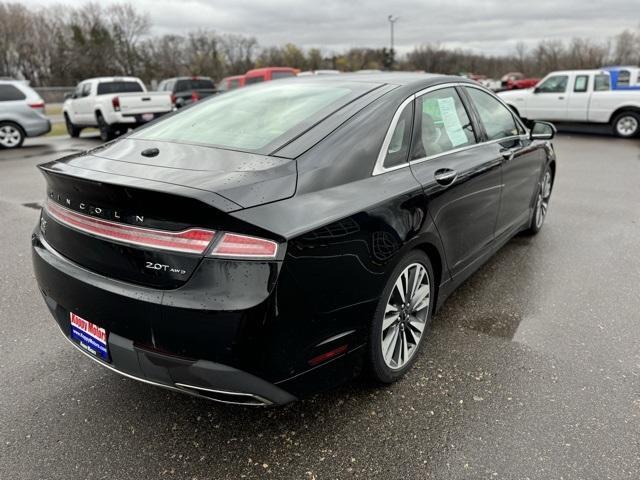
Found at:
(193, 240)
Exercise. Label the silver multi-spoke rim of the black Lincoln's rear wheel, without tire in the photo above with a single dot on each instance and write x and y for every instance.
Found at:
(405, 316)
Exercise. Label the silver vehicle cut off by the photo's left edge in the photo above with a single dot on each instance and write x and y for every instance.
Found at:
(22, 114)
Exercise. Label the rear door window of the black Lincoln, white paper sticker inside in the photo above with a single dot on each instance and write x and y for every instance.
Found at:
(441, 124)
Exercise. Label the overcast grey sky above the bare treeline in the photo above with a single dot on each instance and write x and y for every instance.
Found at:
(488, 26)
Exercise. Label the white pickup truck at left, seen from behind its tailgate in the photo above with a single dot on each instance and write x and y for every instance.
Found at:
(113, 104)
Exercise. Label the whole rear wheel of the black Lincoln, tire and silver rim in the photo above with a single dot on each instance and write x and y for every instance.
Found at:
(402, 317)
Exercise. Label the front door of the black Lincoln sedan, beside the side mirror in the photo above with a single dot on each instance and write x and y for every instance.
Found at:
(520, 158)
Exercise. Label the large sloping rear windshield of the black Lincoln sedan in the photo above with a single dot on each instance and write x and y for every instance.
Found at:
(255, 119)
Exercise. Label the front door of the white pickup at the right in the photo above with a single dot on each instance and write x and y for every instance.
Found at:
(548, 100)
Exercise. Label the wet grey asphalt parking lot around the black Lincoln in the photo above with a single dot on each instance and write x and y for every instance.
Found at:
(532, 370)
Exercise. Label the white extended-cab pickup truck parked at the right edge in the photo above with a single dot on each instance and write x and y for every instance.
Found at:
(579, 96)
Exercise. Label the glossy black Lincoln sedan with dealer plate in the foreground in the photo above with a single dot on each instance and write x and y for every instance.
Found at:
(267, 244)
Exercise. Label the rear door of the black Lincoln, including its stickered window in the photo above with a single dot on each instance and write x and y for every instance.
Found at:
(460, 176)
